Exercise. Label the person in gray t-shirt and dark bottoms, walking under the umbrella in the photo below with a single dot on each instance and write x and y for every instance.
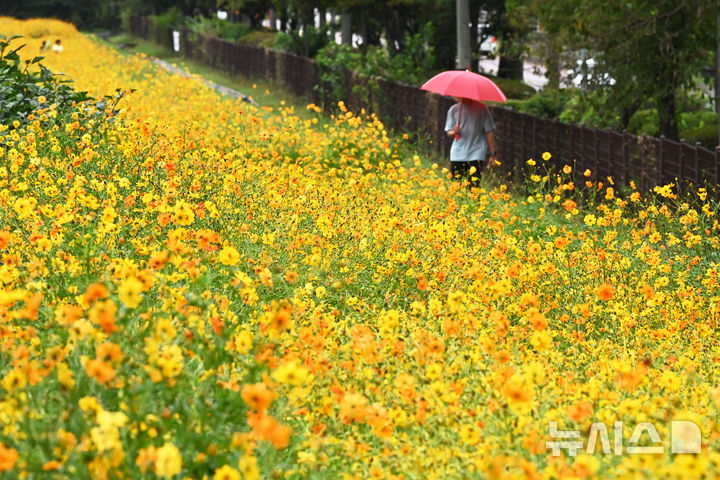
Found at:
(472, 126)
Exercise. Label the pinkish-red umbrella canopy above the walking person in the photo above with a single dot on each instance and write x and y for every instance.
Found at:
(465, 84)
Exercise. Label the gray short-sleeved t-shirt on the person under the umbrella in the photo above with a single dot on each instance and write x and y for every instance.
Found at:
(475, 122)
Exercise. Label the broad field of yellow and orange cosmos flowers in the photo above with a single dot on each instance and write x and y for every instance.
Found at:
(204, 289)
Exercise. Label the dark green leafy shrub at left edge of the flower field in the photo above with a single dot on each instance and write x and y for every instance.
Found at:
(26, 87)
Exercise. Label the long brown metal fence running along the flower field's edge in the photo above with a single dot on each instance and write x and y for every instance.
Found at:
(645, 160)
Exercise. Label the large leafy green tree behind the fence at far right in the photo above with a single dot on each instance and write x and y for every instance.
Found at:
(649, 50)
